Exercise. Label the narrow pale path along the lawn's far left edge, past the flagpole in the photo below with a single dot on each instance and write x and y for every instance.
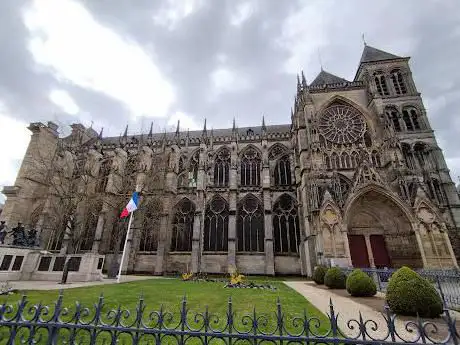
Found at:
(52, 285)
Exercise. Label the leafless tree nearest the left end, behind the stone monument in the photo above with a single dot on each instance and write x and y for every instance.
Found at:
(66, 198)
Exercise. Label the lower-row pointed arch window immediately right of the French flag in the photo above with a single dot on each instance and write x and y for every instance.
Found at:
(150, 226)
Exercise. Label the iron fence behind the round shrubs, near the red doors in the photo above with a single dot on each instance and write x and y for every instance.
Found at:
(446, 282)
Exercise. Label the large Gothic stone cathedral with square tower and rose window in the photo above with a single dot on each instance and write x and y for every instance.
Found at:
(355, 179)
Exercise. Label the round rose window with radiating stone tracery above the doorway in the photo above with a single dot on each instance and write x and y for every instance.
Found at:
(342, 124)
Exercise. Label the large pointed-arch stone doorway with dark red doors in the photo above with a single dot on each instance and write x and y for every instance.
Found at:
(380, 233)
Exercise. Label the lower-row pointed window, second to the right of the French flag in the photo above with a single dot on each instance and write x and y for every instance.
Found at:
(183, 226)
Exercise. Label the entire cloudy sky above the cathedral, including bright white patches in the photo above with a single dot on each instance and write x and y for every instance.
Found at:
(118, 62)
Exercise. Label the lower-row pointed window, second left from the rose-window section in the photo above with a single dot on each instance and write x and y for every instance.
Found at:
(250, 225)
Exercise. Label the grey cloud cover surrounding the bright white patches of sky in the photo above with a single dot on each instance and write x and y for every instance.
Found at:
(429, 31)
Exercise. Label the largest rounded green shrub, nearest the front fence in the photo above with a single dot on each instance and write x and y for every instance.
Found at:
(410, 294)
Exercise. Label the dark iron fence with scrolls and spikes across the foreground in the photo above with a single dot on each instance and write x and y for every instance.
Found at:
(23, 323)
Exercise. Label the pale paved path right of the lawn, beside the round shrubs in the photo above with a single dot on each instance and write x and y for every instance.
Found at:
(348, 309)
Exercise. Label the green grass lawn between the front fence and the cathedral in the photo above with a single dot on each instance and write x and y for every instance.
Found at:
(170, 292)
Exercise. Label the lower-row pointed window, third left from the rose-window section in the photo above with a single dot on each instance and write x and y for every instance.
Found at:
(216, 226)
